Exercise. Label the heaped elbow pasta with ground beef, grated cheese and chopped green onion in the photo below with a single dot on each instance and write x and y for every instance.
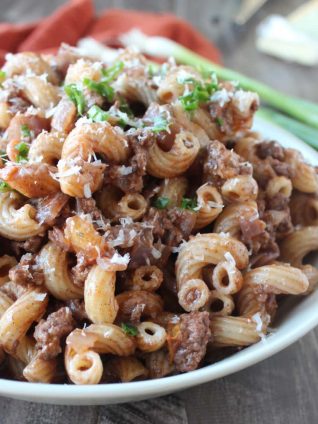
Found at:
(145, 230)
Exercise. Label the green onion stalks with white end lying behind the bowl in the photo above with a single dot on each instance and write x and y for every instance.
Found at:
(301, 110)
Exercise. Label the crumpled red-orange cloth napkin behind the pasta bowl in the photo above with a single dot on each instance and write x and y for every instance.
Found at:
(76, 19)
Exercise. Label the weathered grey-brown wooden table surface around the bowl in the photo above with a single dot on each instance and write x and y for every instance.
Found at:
(280, 390)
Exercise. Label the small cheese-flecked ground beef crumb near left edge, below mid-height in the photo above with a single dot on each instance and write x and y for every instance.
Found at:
(27, 271)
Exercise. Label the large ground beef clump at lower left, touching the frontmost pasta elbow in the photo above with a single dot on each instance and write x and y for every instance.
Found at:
(50, 332)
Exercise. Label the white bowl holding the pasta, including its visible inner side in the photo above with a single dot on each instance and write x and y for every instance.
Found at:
(296, 317)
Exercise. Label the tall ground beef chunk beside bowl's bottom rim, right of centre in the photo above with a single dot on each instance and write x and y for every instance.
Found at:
(195, 333)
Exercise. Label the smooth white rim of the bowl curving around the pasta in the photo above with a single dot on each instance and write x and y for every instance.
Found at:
(120, 392)
